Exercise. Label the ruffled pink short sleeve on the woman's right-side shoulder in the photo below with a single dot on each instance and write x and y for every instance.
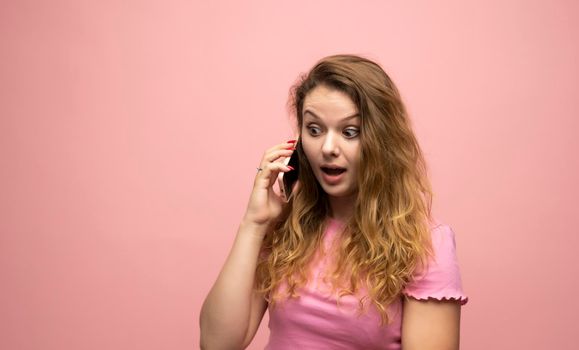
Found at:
(441, 280)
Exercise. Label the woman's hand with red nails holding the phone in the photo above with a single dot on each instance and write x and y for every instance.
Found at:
(264, 204)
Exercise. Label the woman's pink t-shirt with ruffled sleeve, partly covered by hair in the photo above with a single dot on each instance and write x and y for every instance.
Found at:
(313, 320)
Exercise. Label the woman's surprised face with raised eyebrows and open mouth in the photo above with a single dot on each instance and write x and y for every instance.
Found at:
(330, 138)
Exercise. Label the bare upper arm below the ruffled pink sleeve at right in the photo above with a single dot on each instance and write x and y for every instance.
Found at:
(430, 324)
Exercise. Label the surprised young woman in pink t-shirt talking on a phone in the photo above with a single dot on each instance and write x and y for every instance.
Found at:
(354, 260)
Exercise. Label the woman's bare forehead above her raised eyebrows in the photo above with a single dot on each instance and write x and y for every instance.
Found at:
(324, 101)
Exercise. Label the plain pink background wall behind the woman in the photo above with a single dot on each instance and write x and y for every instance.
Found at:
(130, 132)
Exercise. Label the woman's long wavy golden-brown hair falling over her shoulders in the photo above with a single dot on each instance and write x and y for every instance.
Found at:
(388, 236)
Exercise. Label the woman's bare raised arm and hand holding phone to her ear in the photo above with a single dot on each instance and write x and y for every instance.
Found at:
(232, 310)
